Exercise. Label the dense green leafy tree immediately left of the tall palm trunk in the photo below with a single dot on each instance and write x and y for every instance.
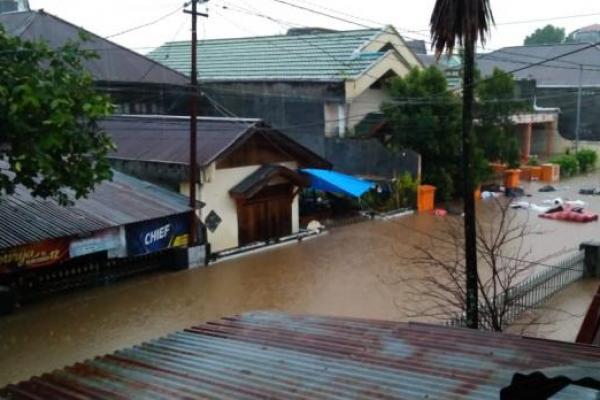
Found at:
(425, 117)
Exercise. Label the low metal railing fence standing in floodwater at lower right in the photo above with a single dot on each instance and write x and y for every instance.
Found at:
(532, 292)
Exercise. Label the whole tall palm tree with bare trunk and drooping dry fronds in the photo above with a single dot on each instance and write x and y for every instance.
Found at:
(464, 22)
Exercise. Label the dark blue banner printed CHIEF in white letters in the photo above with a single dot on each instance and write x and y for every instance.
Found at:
(159, 234)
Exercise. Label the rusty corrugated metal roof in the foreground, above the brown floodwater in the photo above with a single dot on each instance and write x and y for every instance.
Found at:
(277, 356)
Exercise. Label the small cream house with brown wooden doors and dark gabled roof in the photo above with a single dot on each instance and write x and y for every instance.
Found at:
(248, 179)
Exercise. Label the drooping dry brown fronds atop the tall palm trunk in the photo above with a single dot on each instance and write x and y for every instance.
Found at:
(457, 21)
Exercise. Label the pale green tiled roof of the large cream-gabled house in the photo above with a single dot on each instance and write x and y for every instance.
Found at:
(330, 56)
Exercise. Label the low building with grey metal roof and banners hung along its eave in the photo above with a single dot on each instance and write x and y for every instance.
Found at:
(115, 218)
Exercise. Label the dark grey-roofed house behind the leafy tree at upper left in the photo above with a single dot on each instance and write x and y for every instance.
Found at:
(136, 83)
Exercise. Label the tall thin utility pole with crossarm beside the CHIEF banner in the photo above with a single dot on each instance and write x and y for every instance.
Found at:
(193, 173)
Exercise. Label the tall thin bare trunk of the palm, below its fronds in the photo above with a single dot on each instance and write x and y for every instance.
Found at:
(469, 186)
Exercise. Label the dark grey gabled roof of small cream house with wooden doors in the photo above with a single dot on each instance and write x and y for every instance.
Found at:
(166, 139)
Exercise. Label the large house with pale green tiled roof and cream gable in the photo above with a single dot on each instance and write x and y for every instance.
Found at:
(312, 84)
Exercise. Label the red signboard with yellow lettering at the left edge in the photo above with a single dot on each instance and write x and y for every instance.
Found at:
(37, 255)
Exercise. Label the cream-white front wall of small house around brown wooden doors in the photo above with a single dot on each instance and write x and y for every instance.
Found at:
(214, 192)
